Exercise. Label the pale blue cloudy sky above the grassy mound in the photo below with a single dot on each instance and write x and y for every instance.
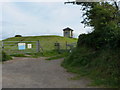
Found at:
(40, 18)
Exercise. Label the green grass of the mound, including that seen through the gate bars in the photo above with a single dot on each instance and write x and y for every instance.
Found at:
(46, 42)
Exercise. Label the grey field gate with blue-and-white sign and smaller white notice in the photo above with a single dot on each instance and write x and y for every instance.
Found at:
(20, 47)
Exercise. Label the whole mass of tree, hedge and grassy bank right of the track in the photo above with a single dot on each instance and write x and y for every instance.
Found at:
(98, 53)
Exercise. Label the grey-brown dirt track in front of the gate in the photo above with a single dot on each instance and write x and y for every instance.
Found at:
(38, 73)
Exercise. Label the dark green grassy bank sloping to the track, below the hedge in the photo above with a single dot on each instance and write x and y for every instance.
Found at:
(101, 66)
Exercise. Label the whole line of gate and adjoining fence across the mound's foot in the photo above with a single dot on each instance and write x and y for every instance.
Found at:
(20, 47)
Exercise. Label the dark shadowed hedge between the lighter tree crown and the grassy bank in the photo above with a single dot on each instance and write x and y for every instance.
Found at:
(109, 39)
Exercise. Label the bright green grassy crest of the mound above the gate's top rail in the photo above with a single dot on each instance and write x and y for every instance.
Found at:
(42, 38)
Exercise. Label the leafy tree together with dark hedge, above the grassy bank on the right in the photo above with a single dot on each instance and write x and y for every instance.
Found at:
(104, 18)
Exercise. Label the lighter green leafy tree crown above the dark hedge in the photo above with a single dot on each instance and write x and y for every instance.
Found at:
(100, 15)
